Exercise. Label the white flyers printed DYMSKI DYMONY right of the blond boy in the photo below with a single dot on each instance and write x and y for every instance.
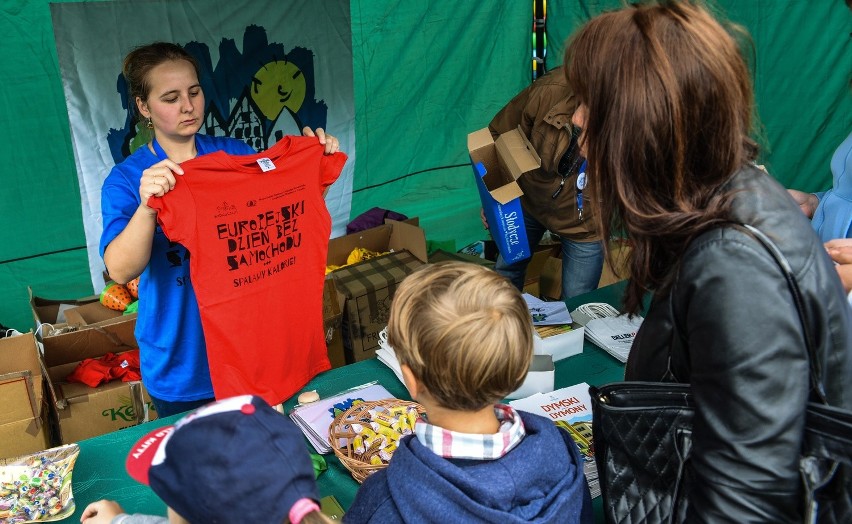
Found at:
(570, 409)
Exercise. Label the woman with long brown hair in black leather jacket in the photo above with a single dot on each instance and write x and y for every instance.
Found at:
(665, 107)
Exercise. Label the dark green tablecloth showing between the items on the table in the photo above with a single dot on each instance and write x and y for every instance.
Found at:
(99, 471)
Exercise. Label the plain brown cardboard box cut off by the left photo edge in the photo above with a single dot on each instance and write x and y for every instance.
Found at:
(23, 417)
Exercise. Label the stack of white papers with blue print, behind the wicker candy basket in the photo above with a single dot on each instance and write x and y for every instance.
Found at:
(315, 418)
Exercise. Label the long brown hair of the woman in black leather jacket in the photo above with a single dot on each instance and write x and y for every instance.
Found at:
(669, 110)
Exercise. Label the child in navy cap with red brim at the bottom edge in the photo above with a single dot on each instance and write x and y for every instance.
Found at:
(236, 460)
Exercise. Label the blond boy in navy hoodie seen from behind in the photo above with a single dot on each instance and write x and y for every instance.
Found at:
(463, 337)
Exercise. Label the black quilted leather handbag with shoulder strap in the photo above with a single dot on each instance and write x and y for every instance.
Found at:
(643, 434)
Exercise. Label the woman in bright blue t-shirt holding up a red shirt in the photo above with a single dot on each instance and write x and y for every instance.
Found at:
(163, 84)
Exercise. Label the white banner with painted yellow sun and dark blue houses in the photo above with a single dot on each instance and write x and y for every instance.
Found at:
(267, 69)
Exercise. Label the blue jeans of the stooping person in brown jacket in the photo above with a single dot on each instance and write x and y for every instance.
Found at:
(582, 262)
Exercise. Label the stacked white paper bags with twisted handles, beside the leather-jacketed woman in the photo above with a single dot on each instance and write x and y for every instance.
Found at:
(607, 329)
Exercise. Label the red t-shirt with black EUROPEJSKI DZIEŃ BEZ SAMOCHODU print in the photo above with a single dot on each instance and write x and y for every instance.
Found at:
(257, 229)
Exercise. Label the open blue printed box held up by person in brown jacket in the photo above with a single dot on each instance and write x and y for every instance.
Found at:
(497, 166)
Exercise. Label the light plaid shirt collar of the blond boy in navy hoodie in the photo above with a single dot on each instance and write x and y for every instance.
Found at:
(452, 444)
